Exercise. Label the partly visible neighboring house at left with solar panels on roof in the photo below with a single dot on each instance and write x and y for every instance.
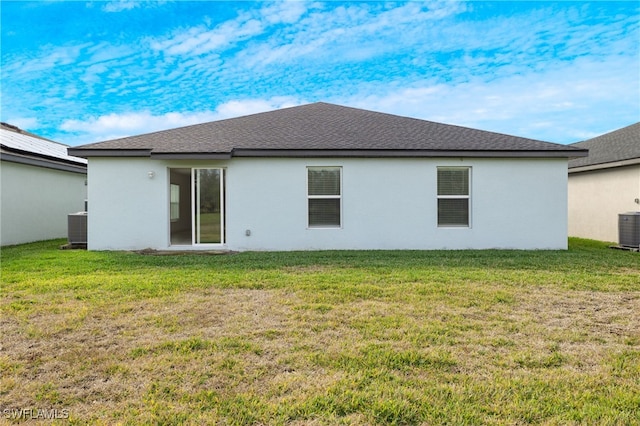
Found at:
(40, 185)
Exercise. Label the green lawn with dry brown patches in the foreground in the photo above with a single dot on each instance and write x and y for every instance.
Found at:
(352, 337)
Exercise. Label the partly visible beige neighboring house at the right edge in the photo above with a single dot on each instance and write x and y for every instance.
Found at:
(604, 184)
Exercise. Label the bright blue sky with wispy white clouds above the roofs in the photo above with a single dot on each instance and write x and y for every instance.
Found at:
(81, 71)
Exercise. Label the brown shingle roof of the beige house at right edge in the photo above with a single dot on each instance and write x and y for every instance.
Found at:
(618, 148)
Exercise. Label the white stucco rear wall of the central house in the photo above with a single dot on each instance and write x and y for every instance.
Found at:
(386, 204)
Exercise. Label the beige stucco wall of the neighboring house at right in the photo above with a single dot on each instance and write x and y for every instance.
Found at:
(597, 197)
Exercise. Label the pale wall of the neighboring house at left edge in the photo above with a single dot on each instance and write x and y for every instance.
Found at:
(35, 202)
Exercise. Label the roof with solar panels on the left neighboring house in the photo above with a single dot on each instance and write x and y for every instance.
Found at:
(19, 146)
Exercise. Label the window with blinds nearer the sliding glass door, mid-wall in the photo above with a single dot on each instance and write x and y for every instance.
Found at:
(324, 193)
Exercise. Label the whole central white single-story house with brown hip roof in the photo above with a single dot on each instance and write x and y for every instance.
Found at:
(323, 176)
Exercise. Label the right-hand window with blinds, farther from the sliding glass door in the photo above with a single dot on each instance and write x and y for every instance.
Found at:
(453, 196)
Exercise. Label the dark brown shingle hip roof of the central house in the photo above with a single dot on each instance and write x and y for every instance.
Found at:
(322, 130)
